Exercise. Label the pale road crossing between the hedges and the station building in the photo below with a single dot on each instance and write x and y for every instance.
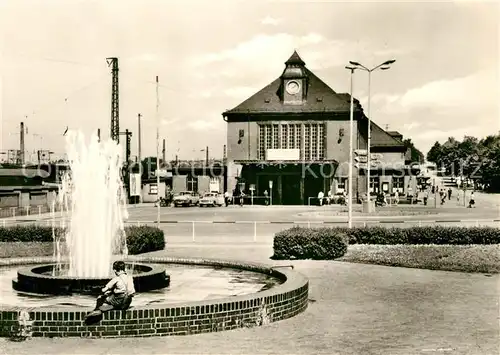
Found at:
(258, 224)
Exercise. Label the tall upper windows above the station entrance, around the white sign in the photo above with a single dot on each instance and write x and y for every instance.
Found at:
(309, 138)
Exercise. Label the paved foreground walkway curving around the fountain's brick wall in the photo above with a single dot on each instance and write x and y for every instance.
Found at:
(354, 309)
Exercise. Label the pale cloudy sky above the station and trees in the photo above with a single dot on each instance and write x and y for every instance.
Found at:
(210, 56)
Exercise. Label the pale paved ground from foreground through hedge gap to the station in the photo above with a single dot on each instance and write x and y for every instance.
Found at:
(354, 309)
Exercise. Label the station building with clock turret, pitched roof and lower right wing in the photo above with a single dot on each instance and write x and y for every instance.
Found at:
(291, 140)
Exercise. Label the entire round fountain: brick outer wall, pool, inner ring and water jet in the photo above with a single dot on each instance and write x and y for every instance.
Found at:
(53, 296)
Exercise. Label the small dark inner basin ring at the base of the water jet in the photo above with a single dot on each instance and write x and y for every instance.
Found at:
(41, 279)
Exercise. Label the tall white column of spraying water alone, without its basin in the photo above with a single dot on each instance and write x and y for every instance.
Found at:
(94, 197)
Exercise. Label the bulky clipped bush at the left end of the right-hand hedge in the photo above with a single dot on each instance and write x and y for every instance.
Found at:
(309, 243)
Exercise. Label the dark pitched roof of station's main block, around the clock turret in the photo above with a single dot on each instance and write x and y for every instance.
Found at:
(320, 98)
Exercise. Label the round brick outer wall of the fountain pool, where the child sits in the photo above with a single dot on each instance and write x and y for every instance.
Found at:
(280, 302)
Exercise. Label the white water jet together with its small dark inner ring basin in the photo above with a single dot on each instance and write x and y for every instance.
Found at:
(92, 194)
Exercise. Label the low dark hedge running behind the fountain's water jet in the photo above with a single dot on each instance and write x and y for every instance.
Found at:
(140, 239)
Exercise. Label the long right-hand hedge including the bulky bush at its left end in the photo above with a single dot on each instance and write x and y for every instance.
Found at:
(331, 243)
